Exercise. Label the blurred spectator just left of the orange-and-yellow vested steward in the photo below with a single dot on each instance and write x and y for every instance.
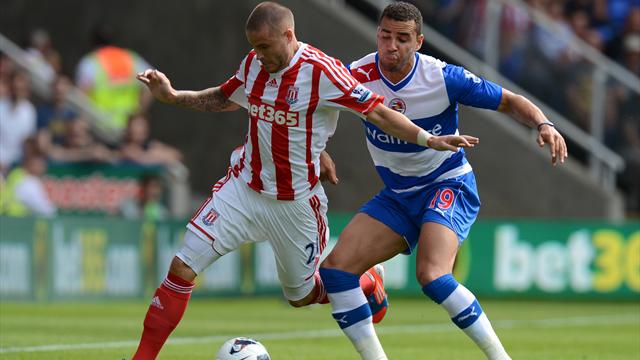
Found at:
(45, 60)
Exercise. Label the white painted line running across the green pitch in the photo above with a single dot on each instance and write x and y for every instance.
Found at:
(619, 319)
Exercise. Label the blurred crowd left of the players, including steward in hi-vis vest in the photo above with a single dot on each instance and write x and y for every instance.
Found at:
(36, 132)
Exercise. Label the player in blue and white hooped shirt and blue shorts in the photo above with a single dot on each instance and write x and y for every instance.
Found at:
(430, 198)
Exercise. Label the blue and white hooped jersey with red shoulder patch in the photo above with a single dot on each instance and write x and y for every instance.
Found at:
(429, 96)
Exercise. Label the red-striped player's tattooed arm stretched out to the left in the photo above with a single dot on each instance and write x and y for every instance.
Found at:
(211, 99)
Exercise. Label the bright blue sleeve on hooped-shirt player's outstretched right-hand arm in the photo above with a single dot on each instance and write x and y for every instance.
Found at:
(466, 88)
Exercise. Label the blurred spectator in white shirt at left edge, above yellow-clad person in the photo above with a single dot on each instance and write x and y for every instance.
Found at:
(17, 121)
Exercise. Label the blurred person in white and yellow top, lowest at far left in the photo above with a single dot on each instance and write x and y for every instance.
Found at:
(23, 192)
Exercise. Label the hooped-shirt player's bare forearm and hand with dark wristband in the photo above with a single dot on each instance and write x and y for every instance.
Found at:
(529, 114)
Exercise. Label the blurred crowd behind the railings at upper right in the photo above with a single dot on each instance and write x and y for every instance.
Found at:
(541, 58)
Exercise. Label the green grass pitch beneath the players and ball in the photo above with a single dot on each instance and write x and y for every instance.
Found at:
(413, 329)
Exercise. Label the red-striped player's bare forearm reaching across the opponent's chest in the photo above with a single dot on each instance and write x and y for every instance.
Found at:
(398, 125)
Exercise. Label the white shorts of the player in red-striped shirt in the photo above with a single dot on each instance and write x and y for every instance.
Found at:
(235, 214)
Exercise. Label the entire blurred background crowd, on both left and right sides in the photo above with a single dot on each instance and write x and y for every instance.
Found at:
(35, 132)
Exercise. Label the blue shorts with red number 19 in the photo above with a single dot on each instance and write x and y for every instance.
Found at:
(453, 203)
